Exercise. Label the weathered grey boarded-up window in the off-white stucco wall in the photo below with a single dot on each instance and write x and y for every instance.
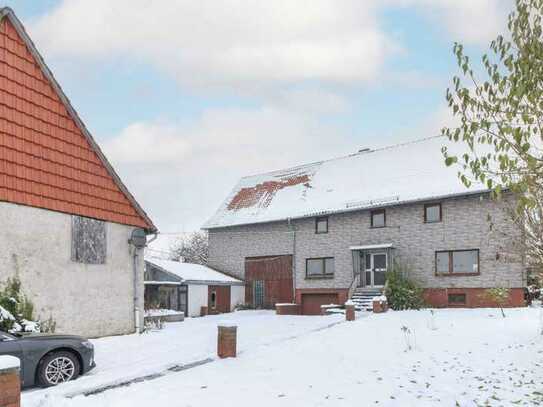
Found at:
(89, 244)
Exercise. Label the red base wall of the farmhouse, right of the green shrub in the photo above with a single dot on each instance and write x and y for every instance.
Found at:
(475, 297)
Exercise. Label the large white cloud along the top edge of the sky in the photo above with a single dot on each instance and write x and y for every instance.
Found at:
(228, 43)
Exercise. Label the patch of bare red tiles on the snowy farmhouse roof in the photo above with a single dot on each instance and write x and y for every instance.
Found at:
(262, 194)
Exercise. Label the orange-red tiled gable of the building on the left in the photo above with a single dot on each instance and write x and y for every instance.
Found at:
(48, 159)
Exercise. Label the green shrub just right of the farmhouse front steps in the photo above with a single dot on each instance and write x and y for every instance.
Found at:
(401, 292)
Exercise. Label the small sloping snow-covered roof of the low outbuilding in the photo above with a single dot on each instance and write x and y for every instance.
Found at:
(193, 273)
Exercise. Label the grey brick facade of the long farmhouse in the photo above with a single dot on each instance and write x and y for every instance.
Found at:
(469, 222)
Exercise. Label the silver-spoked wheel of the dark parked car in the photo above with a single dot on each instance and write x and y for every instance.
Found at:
(58, 367)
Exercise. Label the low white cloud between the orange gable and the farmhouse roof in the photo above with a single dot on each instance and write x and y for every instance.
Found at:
(182, 172)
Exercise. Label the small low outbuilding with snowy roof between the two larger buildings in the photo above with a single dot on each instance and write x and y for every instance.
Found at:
(188, 287)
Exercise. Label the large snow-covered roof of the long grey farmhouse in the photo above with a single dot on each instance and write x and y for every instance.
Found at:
(398, 174)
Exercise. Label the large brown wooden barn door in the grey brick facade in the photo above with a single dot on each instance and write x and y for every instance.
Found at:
(268, 281)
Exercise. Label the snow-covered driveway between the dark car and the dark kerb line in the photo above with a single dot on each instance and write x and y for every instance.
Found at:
(121, 358)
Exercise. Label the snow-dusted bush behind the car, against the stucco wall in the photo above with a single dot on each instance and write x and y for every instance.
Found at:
(16, 310)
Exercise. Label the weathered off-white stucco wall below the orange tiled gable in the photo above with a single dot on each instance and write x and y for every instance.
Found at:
(90, 300)
